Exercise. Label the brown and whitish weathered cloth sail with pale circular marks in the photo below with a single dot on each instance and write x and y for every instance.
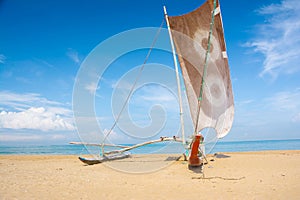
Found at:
(190, 33)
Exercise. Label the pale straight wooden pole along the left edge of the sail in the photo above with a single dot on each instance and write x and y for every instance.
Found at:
(177, 76)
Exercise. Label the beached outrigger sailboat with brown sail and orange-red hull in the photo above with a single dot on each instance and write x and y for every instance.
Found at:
(204, 67)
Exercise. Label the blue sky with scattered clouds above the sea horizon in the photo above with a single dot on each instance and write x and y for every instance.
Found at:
(43, 45)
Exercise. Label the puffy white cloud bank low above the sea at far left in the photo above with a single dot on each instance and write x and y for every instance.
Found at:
(31, 111)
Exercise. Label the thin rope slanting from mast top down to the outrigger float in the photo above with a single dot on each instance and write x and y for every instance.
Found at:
(133, 86)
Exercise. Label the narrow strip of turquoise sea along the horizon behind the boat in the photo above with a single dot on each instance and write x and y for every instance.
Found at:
(240, 146)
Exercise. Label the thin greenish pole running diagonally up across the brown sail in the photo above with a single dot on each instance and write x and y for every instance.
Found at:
(205, 66)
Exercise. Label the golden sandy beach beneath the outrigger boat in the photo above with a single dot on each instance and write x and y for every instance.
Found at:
(260, 175)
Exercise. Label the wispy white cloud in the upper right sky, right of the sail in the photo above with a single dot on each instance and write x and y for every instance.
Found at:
(279, 38)
